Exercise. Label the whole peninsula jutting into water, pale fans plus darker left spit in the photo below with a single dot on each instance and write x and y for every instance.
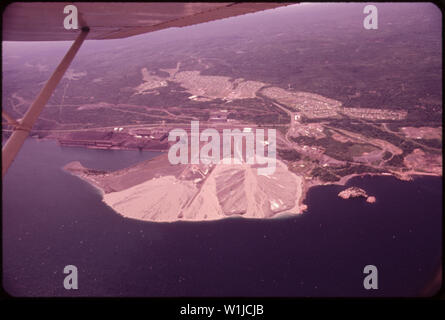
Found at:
(156, 190)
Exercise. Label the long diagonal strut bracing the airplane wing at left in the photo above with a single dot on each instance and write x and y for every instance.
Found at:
(23, 127)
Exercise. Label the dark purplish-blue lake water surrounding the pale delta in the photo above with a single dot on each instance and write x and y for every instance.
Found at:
(52, 219)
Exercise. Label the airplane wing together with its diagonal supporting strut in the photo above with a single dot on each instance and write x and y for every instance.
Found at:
(43, 21)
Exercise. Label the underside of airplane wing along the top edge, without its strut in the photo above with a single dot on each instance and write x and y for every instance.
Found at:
(43, 21)
